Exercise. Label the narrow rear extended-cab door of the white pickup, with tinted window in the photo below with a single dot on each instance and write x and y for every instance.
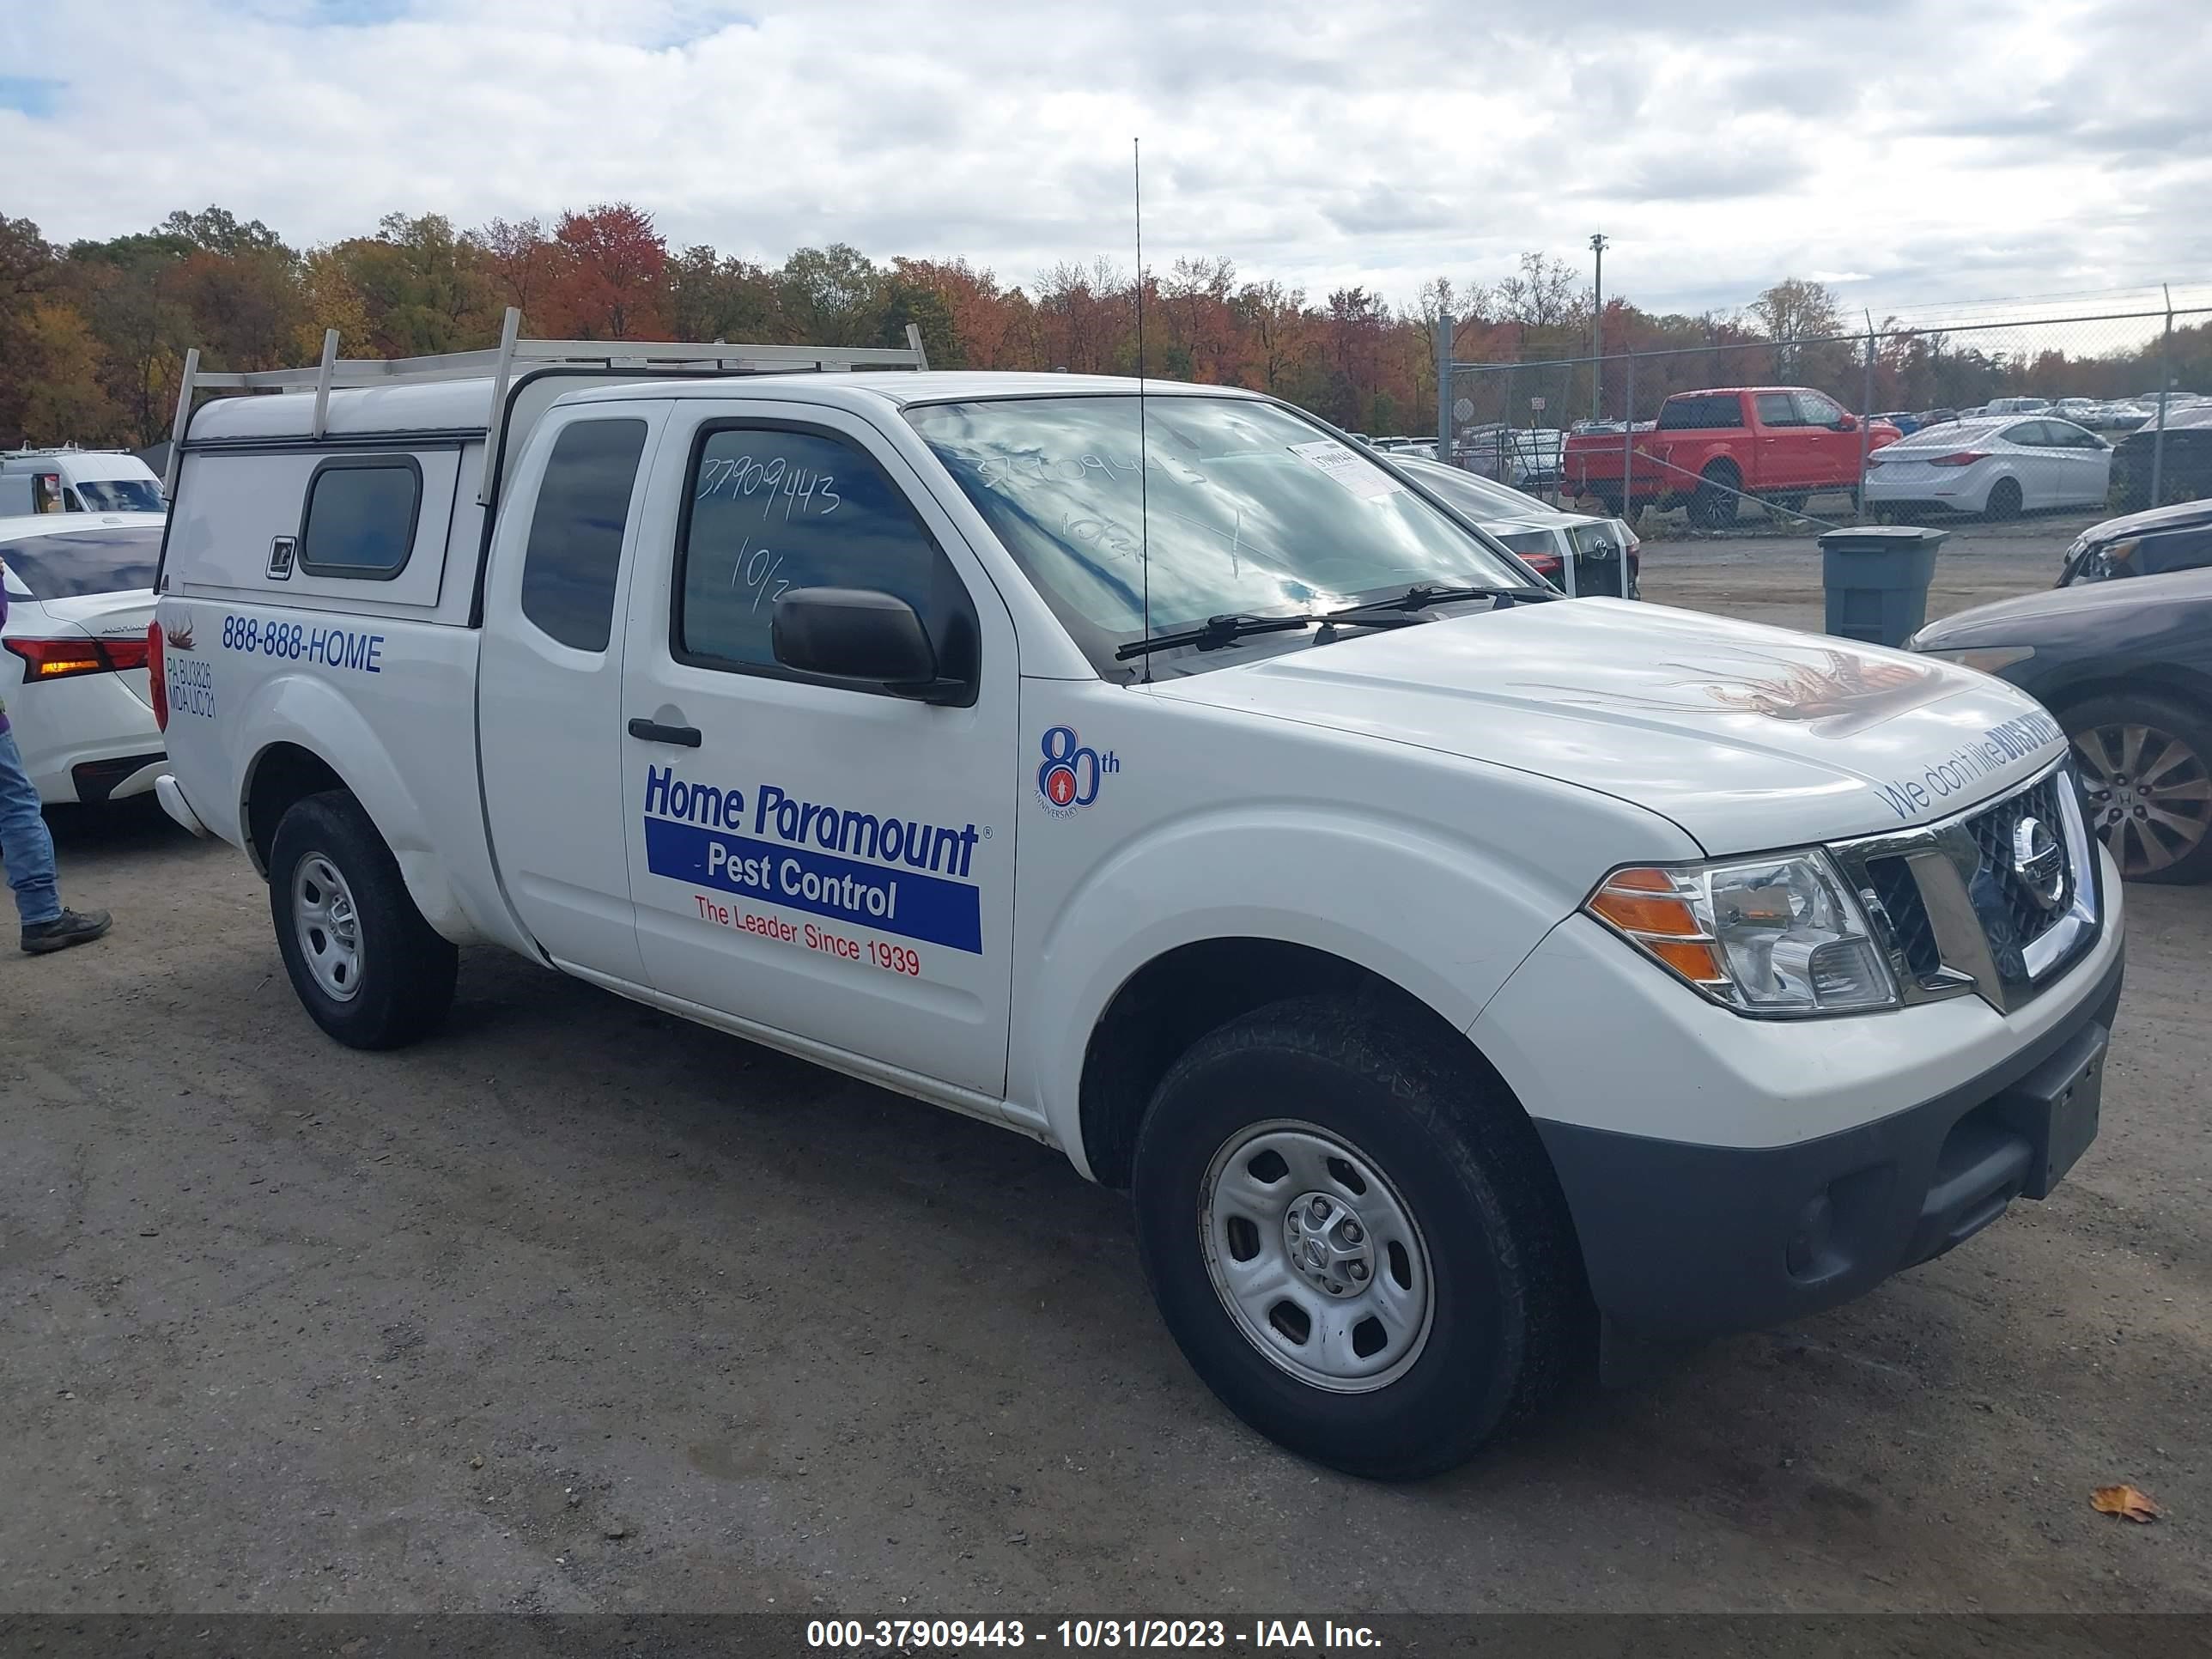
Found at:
(550, 687)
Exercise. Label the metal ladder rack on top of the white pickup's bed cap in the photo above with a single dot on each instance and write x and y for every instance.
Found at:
(517, 353)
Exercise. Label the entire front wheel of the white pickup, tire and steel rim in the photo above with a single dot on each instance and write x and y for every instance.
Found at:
(1357, 1240)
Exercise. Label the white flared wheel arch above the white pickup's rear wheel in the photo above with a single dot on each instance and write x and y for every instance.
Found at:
(311, 716)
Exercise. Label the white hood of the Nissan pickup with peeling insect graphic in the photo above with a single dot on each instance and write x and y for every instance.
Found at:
(1749, 738)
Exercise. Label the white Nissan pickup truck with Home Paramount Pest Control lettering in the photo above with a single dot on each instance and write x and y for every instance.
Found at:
(1463, 981)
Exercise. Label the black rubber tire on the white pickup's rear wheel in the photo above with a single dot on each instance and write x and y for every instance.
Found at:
(404, 972)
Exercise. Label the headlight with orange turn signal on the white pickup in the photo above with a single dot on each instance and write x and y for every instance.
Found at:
(1771, 937)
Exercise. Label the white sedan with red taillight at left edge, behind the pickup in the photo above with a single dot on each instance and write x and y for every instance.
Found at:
(74, 651)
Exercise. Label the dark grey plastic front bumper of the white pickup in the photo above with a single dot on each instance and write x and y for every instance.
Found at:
(1687, 1242)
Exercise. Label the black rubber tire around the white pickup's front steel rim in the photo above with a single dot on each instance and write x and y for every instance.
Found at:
(1507, 1304)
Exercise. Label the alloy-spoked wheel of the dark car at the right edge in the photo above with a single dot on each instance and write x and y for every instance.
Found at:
(2173, 751)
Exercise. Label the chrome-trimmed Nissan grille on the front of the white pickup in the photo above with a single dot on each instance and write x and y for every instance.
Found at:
(1959, 912)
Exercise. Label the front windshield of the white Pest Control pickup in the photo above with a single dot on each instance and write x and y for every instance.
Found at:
(1242, 508)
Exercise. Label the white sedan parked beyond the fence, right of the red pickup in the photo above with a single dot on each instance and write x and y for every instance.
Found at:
(1992, 466)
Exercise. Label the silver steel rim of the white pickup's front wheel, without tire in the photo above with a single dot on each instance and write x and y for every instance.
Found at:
(1317, 1258)
